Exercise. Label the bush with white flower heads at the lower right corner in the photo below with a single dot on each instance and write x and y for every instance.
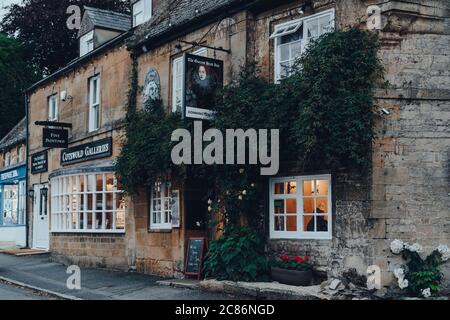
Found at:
(420, 277)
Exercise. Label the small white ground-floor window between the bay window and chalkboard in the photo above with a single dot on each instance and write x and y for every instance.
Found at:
(164, 207)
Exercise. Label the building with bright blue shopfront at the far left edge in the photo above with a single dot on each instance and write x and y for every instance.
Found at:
(13, 187)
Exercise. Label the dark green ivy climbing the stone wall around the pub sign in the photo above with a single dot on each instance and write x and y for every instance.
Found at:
(323, 111)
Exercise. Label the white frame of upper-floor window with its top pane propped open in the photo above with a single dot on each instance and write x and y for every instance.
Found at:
(283, 29)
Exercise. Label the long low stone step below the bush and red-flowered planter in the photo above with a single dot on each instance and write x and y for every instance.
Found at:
(259, 290)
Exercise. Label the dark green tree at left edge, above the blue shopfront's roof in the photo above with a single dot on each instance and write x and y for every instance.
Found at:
(16, 75)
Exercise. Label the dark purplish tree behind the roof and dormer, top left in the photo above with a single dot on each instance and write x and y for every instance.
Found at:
(41, 26)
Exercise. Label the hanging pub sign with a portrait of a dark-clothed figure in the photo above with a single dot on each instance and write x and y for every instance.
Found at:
(203, 77)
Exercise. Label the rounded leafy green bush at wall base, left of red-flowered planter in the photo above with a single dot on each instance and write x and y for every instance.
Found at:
(238, 255)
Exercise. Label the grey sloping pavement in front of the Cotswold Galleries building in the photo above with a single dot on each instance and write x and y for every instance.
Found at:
(38, 273)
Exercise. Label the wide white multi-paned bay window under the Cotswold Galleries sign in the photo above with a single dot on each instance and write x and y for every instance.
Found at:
(87, 203)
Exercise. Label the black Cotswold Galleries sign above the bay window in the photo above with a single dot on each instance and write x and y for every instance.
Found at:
(85, 152)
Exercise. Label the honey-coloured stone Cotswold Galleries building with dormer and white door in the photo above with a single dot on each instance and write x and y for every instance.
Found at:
(78, 209)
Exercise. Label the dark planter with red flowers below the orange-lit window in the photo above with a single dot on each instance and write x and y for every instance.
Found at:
(295, 270)
